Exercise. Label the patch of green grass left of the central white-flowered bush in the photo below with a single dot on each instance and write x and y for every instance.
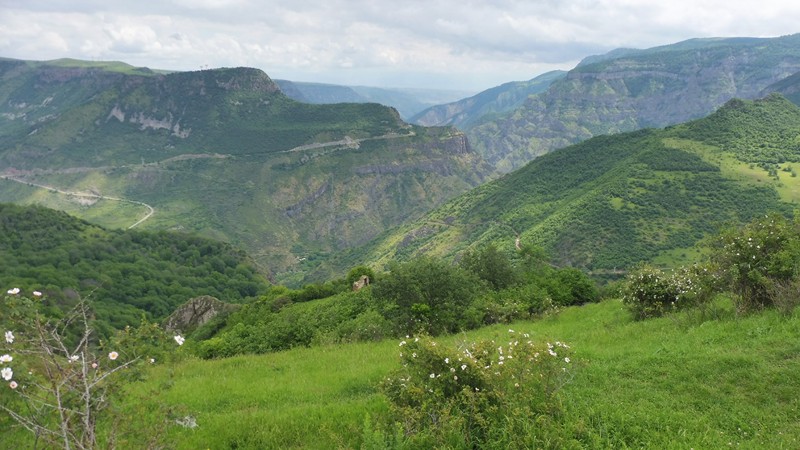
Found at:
(303, 398)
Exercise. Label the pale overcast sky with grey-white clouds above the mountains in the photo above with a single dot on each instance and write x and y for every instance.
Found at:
(458, 44)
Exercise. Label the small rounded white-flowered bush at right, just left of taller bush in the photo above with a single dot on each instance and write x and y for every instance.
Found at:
(650, 292)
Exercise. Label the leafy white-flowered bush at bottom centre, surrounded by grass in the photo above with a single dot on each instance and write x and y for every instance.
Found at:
(484, 394)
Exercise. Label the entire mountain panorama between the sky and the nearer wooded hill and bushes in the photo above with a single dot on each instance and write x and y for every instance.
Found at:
(305, 187)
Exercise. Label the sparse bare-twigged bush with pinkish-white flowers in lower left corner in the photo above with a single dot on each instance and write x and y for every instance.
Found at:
(60, 380)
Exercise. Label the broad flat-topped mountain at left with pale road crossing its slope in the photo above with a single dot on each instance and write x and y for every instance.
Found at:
(223, 153)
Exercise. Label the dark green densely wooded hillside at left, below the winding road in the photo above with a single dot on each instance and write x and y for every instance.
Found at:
(125, 274)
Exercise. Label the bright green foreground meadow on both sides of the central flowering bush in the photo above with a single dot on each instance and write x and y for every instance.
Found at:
(674, 382)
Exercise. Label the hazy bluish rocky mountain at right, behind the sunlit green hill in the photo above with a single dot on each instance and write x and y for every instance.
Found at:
(630, 89)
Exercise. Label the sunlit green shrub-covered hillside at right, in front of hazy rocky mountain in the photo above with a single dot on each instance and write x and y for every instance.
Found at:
(611, 201)
